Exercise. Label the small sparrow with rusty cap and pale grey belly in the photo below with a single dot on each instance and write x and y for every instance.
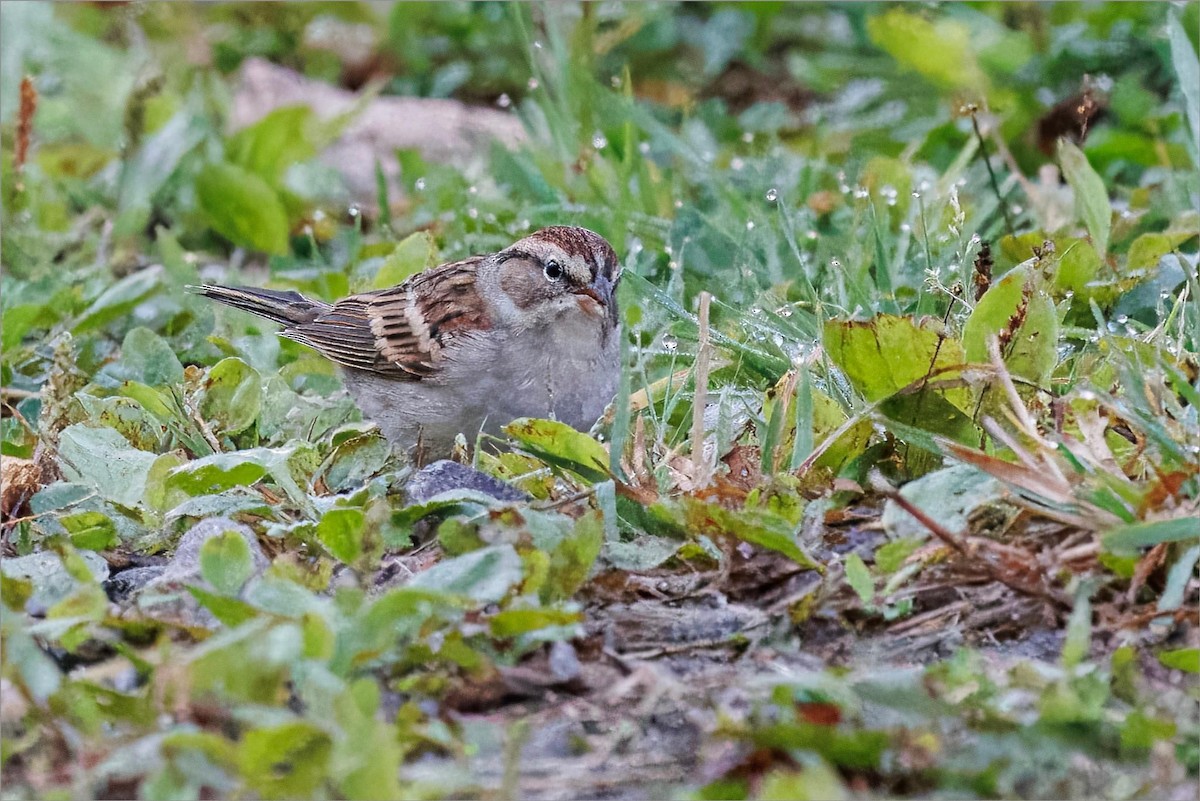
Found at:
(467, 347)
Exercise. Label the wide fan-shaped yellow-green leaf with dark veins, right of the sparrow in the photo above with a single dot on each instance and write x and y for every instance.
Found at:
(887, 353)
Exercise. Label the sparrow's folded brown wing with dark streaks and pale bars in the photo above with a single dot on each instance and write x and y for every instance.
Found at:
(404, 332)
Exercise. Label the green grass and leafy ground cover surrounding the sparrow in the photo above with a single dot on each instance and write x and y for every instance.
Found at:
(854, 346)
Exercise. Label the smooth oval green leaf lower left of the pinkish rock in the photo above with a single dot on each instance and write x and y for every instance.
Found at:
(243, 208)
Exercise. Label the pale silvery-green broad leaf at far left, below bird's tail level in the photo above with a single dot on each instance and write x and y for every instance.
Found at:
(105, 461)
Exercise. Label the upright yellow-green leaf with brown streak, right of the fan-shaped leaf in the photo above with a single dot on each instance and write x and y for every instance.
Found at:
(1031, 352)
